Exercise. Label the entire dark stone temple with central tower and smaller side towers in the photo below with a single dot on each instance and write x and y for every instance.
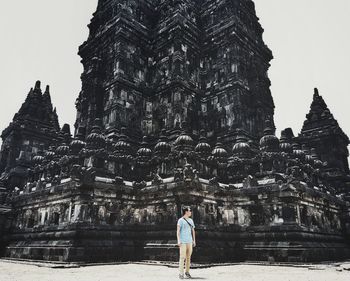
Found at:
(175, 109)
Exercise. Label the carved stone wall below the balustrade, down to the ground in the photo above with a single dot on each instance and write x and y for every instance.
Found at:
(106, 221)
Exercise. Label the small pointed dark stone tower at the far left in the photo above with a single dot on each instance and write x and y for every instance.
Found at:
(33, 128)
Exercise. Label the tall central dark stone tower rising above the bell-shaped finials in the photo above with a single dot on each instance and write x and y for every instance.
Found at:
(152, 65)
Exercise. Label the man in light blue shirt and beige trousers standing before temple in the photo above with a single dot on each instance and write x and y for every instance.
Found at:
(186, 240)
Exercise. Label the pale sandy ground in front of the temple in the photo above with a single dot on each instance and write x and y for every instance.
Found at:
(12, 271)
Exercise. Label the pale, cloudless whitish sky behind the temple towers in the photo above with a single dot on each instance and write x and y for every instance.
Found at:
(310, 40)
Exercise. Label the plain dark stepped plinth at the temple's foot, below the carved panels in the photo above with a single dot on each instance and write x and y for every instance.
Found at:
(101, 245)
